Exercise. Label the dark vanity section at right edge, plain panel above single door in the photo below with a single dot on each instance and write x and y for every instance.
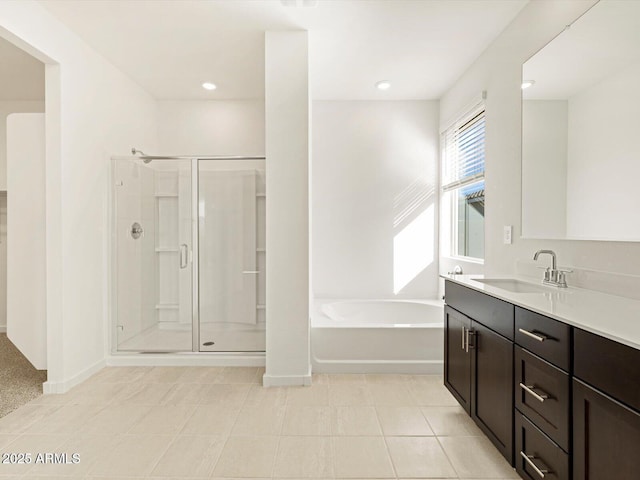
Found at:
(606, 409)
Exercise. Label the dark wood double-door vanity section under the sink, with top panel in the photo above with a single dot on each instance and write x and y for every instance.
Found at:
(479, 363)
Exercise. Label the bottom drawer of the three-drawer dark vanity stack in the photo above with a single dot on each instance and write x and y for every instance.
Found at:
(544, 459)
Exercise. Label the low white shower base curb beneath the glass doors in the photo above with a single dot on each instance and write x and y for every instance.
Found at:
(186, 360)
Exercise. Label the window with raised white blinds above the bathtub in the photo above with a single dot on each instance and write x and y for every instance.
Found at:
(462, 181)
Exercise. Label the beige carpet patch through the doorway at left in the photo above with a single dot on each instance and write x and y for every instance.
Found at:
(20, 382)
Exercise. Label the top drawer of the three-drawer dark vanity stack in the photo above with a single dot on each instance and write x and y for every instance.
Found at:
(543, 336)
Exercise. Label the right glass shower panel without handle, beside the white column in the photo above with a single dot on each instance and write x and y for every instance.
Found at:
(231, 255)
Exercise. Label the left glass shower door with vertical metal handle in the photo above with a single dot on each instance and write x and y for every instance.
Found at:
(153, 255)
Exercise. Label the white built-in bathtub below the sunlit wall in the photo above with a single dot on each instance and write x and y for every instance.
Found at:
(377, 336)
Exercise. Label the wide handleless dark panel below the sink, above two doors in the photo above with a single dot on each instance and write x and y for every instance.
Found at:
(491, 312)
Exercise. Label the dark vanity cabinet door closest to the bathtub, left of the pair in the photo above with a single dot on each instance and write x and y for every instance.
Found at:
(457, 362)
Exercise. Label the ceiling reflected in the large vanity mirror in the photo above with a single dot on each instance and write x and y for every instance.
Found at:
(600, 44)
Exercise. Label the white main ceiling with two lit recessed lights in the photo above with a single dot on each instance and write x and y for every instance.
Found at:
(171, 47)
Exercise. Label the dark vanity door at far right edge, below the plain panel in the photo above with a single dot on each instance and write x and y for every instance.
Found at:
(606, 436)
